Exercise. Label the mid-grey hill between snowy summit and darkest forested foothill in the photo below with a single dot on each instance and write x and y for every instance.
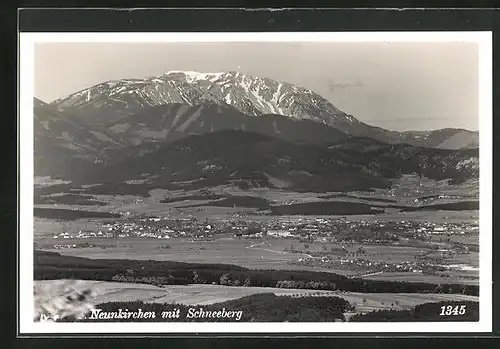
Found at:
(172, 122)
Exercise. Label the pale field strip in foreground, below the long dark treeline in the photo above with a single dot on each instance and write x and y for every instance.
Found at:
(209, 294)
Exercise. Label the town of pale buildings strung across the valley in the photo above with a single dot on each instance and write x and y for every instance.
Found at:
(320, 230)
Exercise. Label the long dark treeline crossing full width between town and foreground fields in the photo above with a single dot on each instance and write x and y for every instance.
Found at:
(50, 265)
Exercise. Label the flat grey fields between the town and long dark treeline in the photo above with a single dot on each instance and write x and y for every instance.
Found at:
(261, 254)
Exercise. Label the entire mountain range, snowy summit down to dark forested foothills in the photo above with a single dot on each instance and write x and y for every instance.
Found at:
(241, 127)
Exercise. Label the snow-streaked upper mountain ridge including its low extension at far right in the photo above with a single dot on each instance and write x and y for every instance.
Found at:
(105, 104)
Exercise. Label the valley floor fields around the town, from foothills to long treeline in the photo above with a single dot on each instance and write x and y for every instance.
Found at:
(278, 253)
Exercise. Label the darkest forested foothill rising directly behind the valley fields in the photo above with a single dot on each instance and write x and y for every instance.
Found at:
(236, 156)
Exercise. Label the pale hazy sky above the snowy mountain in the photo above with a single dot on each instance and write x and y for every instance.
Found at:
(398, 86)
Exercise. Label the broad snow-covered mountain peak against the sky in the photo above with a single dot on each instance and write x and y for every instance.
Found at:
(251, 95)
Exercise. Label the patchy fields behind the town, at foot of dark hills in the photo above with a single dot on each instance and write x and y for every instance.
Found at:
(409, 190)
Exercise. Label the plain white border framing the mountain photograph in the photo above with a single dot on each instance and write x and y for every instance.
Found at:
(26, 325)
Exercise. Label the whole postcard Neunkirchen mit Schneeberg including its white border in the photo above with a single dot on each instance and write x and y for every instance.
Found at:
(326, 182)
